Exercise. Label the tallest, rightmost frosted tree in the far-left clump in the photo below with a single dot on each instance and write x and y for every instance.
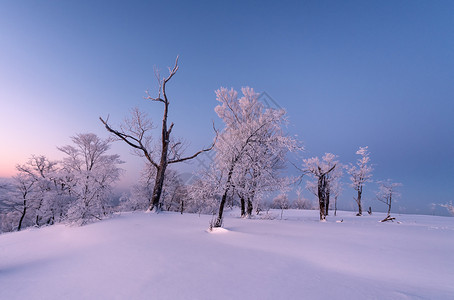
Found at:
(89, 175)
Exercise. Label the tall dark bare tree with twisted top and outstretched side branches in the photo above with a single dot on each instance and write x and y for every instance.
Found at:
(135, 134)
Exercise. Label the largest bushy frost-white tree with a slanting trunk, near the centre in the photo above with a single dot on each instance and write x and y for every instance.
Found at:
(250, 146)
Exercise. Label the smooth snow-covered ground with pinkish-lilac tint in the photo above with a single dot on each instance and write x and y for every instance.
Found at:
(172, 256)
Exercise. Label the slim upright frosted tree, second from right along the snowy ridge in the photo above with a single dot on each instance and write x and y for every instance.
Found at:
(360, 174)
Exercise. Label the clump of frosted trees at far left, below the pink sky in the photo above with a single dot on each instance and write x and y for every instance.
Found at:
(76, 189)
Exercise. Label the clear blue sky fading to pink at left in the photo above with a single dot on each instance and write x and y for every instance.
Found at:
(349, 73)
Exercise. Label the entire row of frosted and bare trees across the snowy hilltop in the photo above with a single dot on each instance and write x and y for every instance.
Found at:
(250, 155)
